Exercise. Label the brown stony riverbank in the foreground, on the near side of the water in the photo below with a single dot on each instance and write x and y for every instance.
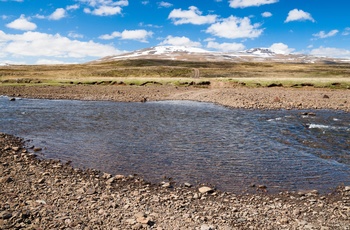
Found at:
(46, 194)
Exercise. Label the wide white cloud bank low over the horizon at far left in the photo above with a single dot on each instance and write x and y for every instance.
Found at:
(35, 44)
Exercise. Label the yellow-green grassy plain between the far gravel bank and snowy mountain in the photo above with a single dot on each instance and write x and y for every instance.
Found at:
(148, 71)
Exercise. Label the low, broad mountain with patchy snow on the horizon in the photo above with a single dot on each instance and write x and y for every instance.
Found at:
(183, 53)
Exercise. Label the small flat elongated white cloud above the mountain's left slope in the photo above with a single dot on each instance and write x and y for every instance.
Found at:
(138, 35)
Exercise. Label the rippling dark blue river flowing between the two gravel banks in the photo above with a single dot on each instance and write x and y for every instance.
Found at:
(193, 142)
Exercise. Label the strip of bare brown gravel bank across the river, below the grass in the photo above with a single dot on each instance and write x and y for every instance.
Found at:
(220, 93)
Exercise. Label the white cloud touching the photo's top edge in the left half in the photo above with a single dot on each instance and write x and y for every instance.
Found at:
(104, 7)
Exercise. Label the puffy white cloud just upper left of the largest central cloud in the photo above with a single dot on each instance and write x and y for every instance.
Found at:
(191, 16)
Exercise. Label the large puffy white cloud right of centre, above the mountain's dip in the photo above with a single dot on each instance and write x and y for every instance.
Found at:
(234, 27)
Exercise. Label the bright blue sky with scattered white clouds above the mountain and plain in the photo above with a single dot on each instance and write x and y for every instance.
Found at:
(78, 31)
